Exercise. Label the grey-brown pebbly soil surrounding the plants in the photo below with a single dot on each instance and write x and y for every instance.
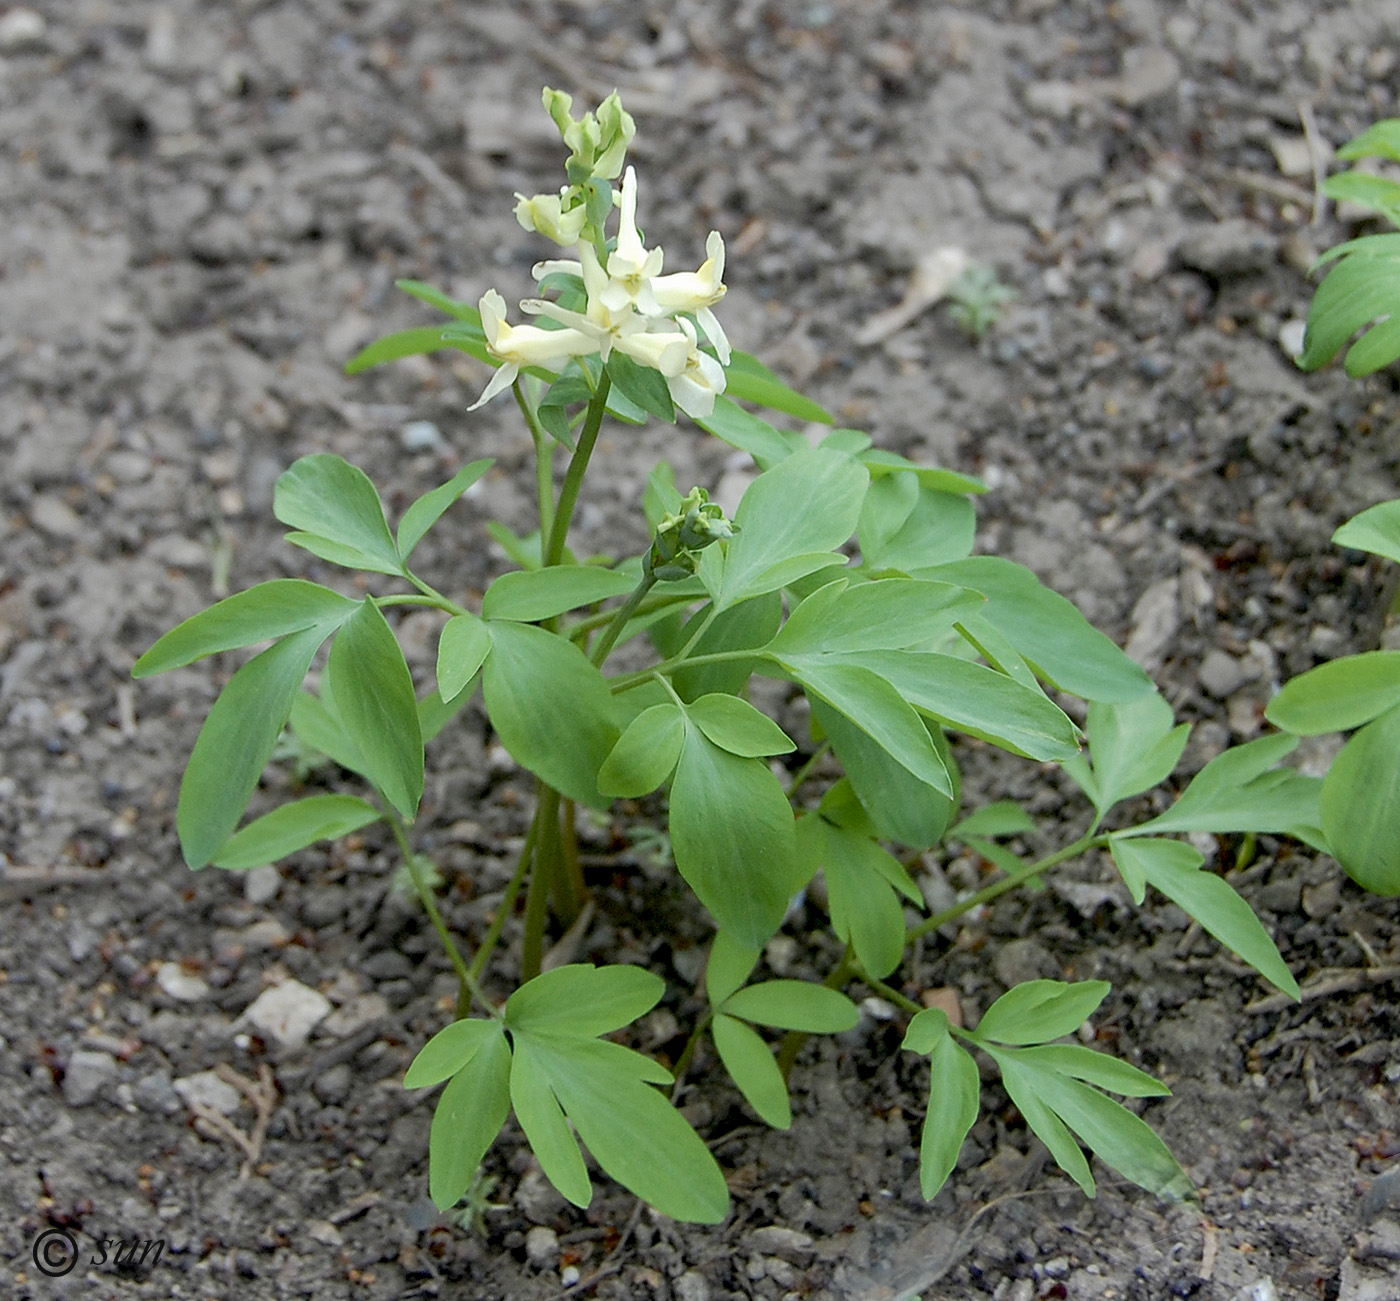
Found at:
(204, 208)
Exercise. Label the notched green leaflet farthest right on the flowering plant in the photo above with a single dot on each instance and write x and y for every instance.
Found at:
(1238, 793)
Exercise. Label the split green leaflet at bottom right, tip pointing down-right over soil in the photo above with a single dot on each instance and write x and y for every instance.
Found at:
(1119, 1139)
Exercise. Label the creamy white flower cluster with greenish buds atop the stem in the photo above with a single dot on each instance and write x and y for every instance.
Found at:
(653, 319)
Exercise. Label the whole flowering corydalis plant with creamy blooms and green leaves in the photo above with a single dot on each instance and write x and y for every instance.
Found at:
(848, 575)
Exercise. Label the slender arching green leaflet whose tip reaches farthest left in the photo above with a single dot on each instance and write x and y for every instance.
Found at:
(271, 610)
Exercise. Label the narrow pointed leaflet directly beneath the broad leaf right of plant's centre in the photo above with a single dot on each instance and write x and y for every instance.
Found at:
(978, 701)
